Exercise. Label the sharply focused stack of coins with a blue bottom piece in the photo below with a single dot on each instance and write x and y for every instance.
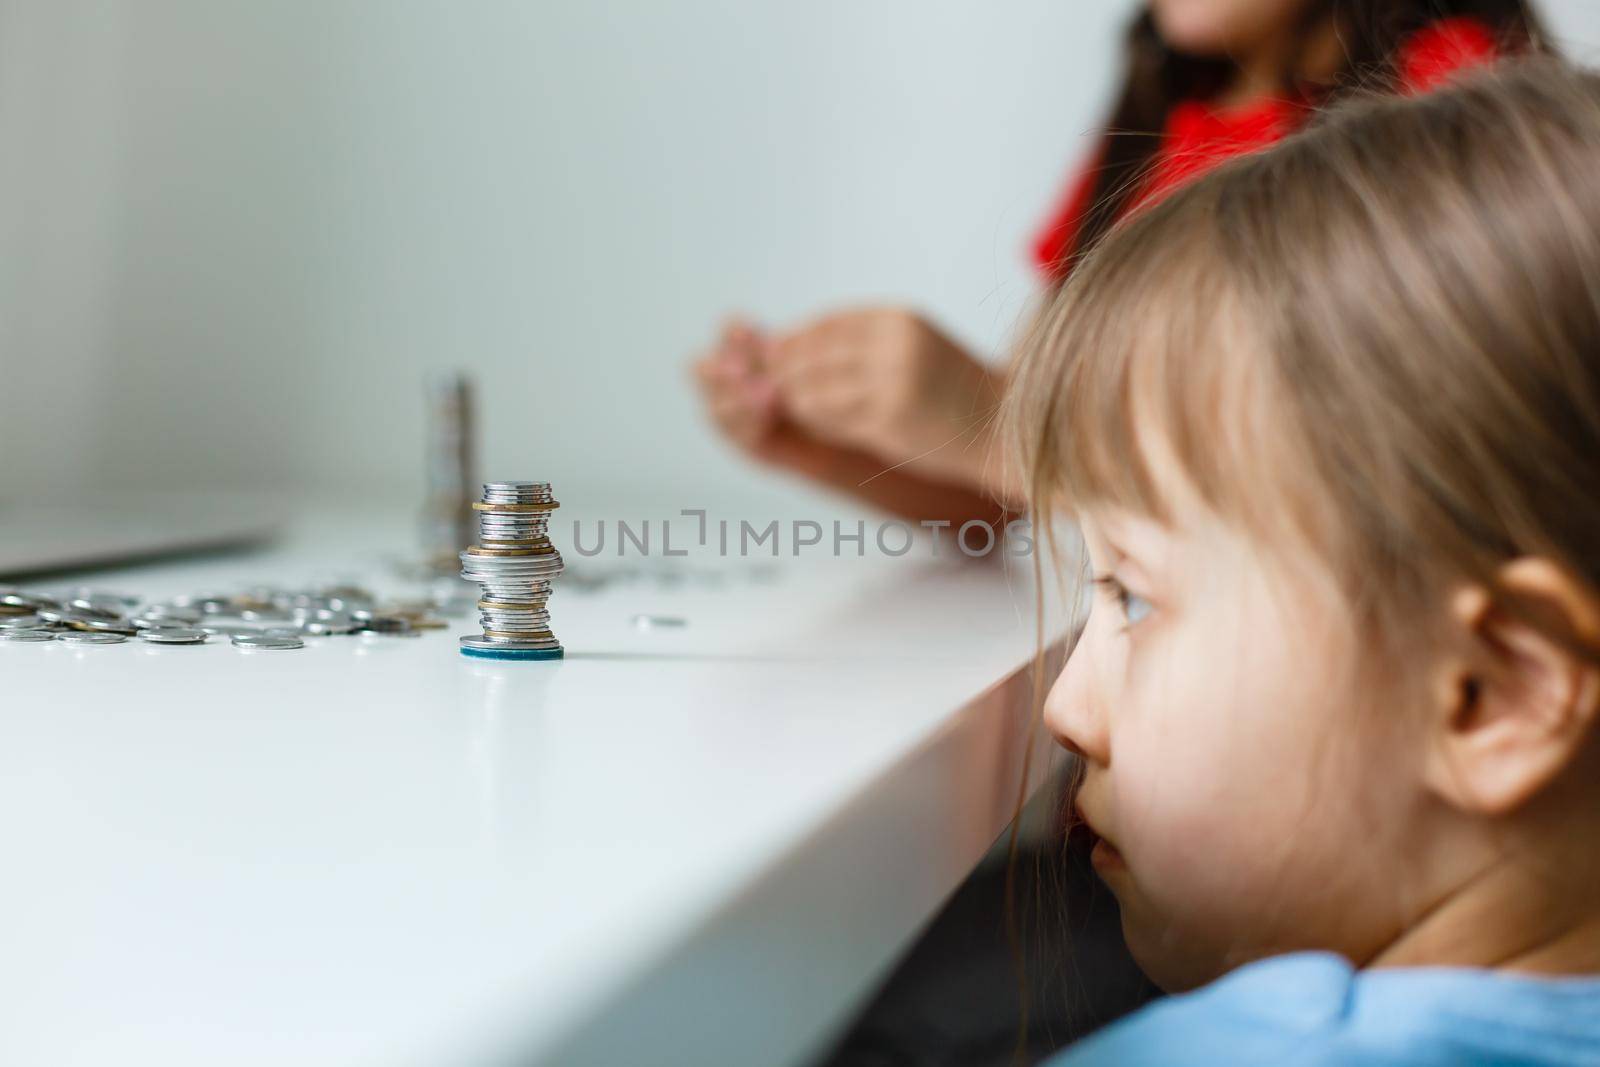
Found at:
(514, 565)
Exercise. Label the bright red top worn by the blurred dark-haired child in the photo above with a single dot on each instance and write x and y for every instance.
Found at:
(1199, 137)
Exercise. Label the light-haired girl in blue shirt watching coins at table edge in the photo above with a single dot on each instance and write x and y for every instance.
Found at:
(1329, 420)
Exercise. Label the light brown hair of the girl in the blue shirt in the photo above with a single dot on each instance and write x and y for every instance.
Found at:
(1378, 340)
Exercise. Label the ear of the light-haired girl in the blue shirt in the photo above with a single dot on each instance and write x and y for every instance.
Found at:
(1521, 705)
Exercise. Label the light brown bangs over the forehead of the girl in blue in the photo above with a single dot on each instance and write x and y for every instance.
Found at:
(1132, 393)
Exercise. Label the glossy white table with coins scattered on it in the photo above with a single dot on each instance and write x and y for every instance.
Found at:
(674, 847)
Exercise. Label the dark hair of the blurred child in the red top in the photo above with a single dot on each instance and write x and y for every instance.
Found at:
(1158, 79)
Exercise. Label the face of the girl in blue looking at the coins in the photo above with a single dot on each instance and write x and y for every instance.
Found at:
(1247, 791)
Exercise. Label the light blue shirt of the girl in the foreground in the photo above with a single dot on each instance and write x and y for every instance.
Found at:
(1314, 1010)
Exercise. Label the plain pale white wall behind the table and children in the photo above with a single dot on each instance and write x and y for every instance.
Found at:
(236, 236)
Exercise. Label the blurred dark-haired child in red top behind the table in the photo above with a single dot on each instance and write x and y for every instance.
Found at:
(884, 406)
